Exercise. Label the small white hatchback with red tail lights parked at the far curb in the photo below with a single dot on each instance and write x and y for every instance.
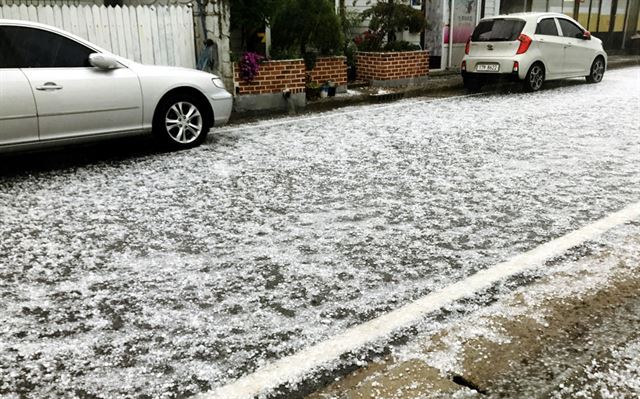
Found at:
(531, 48)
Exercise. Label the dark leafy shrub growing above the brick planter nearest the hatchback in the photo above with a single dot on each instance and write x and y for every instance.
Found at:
(389, 17)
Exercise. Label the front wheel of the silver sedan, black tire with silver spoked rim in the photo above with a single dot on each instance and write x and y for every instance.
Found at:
(181, 121)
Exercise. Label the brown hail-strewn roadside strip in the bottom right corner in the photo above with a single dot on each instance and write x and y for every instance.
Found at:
(572, 334)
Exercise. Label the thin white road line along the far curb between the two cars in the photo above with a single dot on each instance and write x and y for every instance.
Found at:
(290, 120)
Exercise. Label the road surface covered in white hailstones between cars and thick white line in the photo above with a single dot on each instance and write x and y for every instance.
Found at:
(165, 275)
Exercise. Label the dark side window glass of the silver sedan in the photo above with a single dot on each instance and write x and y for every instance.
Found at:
(36, 48)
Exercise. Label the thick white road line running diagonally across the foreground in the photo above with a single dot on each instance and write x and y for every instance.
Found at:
(293, 368)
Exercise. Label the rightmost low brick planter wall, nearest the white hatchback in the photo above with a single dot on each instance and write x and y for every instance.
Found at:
(392, 65)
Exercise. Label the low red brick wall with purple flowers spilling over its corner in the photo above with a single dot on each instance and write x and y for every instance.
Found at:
(273, 77)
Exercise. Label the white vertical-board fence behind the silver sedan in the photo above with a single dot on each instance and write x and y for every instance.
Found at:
(160, 35)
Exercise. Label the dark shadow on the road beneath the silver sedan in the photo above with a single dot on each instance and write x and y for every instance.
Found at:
(77, 155)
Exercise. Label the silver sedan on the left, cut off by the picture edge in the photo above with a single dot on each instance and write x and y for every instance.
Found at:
(57, 88)
